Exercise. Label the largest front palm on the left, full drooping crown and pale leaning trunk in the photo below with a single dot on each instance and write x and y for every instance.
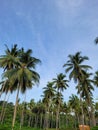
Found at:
(24, 75)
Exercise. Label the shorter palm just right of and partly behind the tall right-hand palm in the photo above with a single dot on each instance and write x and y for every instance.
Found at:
(86, 92)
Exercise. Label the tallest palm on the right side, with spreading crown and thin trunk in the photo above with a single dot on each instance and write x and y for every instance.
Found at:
(77, 72)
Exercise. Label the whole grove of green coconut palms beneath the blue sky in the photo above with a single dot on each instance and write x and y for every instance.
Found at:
(19, 74)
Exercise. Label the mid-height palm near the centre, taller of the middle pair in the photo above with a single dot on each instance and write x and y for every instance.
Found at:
(60, 83)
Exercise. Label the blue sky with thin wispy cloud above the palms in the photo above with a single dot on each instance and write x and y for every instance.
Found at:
(53, 29)
